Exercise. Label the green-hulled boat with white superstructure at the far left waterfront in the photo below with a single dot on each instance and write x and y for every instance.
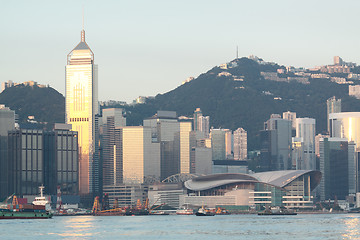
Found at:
(26, 211)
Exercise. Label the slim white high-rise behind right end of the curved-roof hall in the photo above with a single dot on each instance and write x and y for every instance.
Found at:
(305, 130)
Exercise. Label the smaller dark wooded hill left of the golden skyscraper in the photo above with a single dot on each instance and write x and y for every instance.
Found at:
(46, 104)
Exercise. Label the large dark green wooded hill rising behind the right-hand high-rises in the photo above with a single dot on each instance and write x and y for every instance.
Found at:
(231, 107)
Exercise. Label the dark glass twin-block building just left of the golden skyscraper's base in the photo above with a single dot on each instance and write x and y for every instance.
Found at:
(38, 158)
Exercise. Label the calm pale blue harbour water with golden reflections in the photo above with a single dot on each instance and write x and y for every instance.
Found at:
(317, 226)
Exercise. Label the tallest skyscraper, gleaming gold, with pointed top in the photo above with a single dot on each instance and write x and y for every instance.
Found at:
(82, 106)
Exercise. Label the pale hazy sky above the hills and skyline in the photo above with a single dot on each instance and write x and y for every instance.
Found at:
(144, 48)
